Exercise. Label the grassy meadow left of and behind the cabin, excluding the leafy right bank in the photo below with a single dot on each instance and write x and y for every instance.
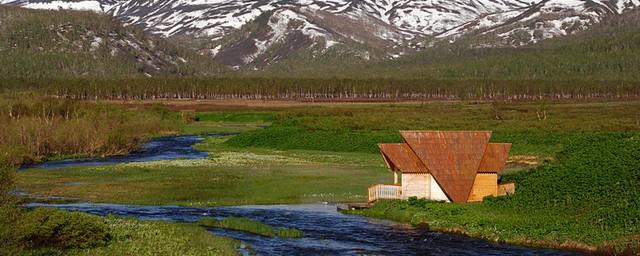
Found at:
(323, 153)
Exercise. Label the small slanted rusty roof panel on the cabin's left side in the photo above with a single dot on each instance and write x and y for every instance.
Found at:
(402, 157)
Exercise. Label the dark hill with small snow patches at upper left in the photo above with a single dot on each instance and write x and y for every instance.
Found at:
(60, 44)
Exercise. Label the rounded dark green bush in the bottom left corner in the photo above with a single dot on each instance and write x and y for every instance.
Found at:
(51, 228)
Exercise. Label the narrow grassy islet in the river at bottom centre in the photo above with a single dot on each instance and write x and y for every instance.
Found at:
(251, 226)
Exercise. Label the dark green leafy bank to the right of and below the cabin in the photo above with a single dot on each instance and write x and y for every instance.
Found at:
(586, 200)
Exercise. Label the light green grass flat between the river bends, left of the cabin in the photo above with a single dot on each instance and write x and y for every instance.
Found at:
(229, 177)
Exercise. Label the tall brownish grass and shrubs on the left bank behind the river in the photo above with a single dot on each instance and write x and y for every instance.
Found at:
(35, 127)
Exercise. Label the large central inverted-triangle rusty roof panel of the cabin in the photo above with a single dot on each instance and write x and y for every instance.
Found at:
(452, 157)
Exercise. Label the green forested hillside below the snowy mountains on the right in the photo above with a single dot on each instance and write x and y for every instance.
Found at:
(608, 51)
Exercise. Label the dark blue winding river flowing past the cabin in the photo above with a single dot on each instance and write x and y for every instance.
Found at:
(326, 231)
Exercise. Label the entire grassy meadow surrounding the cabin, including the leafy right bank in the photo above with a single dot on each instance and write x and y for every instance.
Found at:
(328, 152)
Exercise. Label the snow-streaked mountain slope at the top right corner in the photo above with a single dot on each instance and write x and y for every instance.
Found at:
(544, 20)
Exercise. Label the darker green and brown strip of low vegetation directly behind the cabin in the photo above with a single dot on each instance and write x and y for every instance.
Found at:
(538, 129)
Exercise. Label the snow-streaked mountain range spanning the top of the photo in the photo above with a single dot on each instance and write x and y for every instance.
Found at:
(256, 33)
